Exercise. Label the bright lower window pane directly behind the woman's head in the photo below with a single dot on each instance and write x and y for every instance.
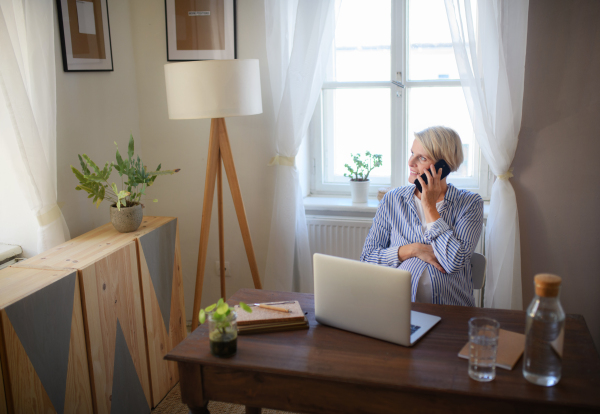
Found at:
(443, 106)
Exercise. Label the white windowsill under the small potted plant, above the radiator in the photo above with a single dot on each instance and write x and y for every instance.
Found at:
(343, 206)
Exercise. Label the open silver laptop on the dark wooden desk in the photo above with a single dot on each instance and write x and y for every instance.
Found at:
(368, 299)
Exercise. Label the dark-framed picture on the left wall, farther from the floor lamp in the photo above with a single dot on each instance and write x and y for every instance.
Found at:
(85, 35)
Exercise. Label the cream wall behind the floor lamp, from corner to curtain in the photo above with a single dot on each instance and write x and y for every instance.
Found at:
(184, 144)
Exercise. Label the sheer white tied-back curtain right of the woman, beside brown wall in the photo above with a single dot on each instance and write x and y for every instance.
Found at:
(489, 39)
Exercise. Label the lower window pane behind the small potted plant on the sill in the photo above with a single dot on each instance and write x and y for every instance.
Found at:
(358, 121)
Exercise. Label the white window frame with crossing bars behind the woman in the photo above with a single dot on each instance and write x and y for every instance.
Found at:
(399, 122)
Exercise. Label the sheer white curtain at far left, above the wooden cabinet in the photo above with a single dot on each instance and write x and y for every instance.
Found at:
(28, 110)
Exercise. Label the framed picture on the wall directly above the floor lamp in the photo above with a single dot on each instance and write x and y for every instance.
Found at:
(200, 29)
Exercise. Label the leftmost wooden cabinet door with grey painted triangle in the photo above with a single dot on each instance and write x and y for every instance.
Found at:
(44, 356)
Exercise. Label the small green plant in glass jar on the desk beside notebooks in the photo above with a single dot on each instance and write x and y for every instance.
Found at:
(222, 327)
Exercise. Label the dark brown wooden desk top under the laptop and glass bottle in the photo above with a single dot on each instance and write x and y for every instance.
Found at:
(432, 365)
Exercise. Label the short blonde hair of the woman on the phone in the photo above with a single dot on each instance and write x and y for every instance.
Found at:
(442, 143)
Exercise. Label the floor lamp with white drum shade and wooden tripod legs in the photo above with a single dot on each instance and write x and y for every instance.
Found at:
(216, 89)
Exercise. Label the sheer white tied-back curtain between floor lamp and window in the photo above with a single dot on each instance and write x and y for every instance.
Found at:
(299, 36)
